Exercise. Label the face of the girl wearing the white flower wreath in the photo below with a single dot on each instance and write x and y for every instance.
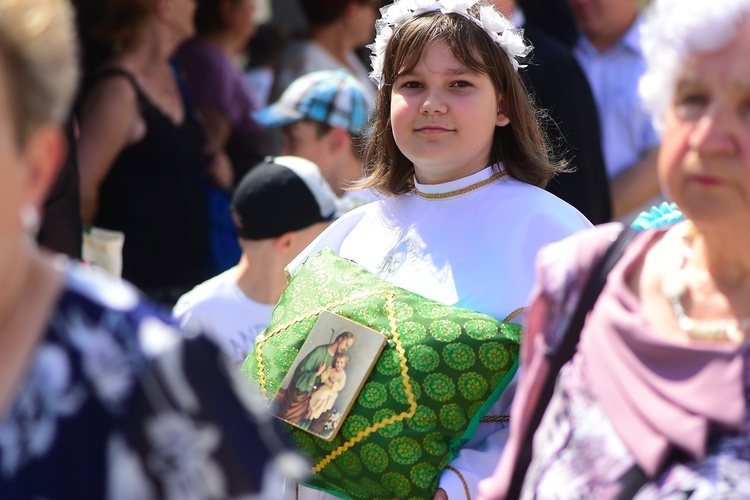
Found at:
(444, 116)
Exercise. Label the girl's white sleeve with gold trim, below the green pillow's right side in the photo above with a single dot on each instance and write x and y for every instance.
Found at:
(479, 457)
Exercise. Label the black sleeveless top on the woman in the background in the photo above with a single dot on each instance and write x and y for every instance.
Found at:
(153, 194)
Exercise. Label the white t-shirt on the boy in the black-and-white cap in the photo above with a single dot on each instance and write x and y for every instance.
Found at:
(228, 316)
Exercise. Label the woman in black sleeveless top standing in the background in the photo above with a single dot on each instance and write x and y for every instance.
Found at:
(142, 152)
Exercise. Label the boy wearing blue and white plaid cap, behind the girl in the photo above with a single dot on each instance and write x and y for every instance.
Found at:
(322, 116)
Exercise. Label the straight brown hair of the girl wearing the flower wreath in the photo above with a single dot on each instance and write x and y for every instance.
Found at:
(521, 145)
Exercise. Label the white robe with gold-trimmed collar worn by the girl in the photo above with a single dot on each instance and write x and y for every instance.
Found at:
(474, 251)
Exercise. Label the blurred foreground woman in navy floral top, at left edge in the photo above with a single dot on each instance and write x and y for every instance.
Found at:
(99, 395)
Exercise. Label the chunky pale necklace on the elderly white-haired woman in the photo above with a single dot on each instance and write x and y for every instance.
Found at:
(674, 288)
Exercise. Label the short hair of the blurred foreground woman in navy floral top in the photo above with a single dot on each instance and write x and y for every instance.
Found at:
(38, 49)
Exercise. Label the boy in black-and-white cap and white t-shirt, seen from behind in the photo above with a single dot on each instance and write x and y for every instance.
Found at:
(279, 207)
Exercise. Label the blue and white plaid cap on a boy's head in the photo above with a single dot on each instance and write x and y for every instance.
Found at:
(333, 97)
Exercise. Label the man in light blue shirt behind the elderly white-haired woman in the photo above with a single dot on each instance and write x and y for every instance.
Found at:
(609, 52)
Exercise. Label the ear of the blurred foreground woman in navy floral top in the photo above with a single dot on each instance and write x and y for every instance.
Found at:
(44, 154)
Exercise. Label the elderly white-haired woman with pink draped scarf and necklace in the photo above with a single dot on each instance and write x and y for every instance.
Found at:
(655, 402)
